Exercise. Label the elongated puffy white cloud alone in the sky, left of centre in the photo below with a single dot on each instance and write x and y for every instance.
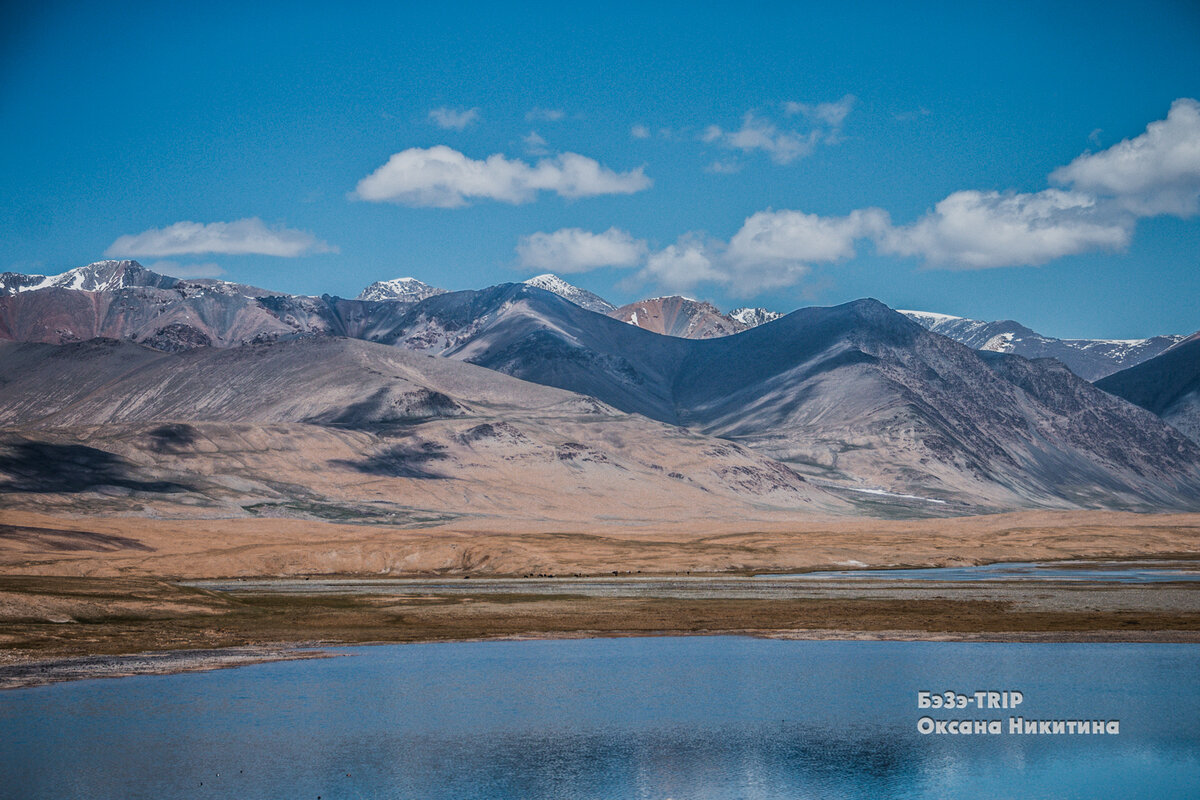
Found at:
(445, 178)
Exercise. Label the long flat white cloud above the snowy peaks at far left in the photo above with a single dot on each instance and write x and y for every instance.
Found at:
(238, 238)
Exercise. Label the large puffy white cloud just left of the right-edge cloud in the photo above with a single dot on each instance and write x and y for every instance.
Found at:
(985, 230)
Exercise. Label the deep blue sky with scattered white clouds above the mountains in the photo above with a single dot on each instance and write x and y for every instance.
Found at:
(934, 157)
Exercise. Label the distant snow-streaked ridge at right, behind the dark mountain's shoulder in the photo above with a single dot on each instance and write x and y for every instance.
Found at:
(1089, 359)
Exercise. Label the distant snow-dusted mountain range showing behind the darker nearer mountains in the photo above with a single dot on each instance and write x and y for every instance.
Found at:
(221, 314)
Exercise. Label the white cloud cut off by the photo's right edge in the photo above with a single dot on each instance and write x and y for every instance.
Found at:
(1157, 172)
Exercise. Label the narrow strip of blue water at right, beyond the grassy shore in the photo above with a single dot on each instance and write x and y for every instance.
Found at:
(1118, 573)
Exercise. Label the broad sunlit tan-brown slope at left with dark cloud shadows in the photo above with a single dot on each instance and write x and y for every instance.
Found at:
(333, 429)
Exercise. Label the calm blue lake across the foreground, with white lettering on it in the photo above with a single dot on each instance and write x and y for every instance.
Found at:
(691, 719)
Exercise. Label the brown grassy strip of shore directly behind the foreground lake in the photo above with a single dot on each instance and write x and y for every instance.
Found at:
(65, 628)
